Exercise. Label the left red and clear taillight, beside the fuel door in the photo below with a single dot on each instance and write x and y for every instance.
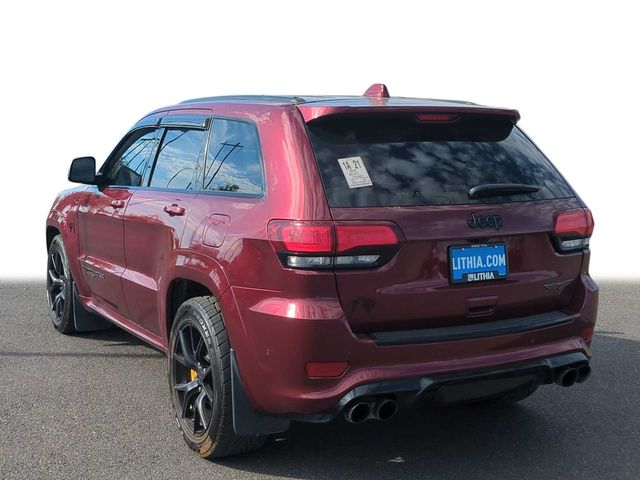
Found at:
(316, 245)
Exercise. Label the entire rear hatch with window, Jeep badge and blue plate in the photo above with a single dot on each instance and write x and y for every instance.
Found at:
(464, 255)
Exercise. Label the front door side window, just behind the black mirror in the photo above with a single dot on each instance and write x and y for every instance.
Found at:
(132, 164)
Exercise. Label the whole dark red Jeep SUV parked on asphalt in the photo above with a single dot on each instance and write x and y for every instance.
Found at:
(303, 258)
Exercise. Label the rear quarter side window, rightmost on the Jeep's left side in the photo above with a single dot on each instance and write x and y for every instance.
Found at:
(233, 159)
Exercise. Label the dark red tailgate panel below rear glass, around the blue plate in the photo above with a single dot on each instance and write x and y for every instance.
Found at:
(418, 276)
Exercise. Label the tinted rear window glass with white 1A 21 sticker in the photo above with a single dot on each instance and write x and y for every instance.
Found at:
(395, 160)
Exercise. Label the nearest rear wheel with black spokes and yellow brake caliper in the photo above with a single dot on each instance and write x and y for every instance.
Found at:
(199, 364)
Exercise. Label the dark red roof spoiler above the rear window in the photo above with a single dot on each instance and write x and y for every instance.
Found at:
(311, 112)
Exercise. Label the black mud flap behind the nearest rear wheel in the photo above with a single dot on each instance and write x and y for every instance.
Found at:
(246, 421)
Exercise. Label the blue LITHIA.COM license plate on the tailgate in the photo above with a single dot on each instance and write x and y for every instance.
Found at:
(478, 262)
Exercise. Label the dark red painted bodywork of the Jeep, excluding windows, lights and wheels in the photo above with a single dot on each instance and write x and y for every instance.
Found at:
(125, 258)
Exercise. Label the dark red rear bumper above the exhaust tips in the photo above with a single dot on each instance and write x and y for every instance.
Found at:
(275, 337)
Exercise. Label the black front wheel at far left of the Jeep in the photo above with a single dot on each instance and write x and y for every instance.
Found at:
(59, 287)
